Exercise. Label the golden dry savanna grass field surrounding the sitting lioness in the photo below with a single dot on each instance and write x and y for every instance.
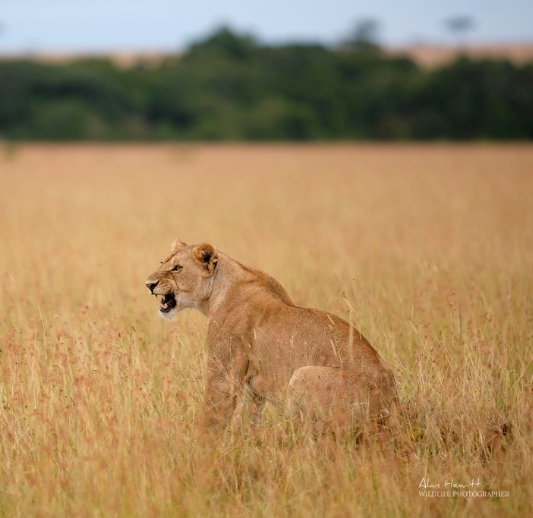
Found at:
(427, 248)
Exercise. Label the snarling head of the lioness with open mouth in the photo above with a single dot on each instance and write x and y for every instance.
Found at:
(184, 279)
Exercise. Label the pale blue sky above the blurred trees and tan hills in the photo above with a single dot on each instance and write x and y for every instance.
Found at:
(141, 25)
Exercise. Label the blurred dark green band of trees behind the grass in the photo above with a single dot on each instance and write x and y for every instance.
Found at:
(230, 87)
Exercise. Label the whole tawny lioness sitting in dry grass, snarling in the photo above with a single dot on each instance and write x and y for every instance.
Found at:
(263, 347)
